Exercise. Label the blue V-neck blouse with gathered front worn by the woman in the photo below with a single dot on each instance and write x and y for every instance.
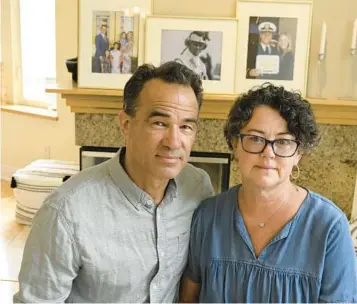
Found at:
(310, 260)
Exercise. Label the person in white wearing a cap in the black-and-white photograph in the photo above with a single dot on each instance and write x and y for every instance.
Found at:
(190, 56)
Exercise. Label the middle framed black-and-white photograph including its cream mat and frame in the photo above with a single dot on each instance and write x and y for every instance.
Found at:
(207, 46)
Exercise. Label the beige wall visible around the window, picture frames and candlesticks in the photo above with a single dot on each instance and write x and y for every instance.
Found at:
(24, 138)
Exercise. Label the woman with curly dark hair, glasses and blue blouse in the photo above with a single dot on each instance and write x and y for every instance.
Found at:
(268, 239)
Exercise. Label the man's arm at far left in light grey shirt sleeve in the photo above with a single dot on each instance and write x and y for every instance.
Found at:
(50, 260)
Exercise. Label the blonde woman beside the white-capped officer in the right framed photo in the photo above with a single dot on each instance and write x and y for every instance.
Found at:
(286, 65)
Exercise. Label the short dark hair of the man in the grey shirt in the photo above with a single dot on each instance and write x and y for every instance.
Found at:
(169, 72)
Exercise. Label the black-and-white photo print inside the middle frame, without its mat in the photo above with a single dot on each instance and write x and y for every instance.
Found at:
(201, 51)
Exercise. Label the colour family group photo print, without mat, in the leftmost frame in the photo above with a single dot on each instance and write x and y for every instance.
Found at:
(115, 43)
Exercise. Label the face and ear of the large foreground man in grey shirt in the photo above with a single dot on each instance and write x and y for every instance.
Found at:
(160, 136)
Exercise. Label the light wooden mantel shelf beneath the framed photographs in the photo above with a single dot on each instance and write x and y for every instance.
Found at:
(215, 106)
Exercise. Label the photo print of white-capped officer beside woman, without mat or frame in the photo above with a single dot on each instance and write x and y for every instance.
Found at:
(271, 48)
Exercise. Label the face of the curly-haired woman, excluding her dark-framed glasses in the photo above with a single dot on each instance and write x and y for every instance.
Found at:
(265, 170)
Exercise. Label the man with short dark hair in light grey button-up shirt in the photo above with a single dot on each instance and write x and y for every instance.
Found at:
(119, 231)
